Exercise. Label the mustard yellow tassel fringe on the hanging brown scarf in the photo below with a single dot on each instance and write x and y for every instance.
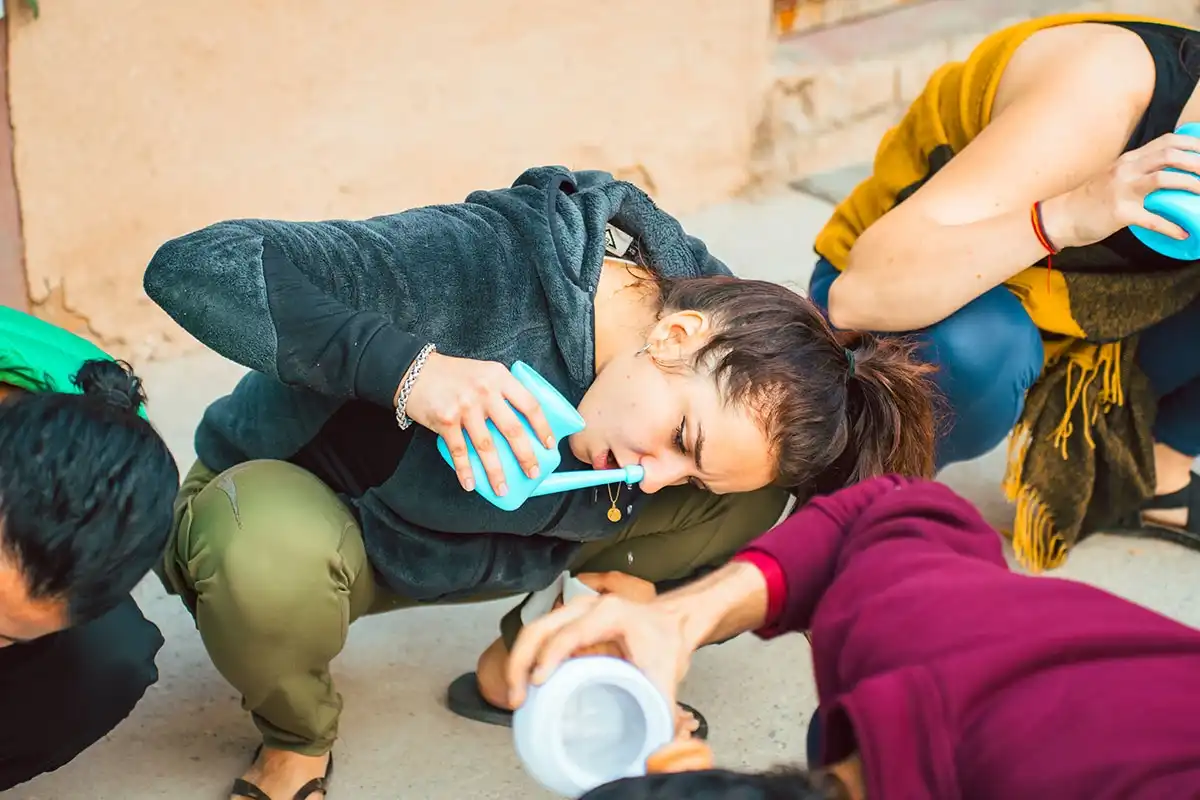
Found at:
(1037, 542)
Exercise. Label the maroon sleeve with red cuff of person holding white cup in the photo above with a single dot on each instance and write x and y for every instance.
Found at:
(803, 556)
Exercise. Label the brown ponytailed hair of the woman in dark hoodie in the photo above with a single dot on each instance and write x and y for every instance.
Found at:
(837, 407)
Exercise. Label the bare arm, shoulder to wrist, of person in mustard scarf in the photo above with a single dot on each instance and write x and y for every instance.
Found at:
(1066, 107)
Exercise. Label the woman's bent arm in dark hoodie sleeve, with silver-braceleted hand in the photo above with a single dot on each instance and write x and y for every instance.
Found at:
(337, 308)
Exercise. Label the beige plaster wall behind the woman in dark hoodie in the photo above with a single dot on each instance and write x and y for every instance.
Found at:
(139, 121)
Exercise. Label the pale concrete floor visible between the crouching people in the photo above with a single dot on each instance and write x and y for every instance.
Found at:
(190, 738)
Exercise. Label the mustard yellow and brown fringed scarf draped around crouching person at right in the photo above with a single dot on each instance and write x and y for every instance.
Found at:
(1082, 380)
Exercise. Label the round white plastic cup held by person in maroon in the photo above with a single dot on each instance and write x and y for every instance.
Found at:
(596, 720)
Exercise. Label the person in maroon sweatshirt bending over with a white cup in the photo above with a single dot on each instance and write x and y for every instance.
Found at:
(941, 672)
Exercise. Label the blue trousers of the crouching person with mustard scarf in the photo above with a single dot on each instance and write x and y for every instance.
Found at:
(989, 353)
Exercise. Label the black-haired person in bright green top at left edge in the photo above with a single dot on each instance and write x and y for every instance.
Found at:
(87, 488)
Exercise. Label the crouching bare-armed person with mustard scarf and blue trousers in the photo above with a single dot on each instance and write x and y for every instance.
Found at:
(995, 228)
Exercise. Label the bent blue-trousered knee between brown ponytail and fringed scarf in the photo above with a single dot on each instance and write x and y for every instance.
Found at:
(988, 354)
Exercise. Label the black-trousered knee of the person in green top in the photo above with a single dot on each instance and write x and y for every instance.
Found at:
(73, 689)
